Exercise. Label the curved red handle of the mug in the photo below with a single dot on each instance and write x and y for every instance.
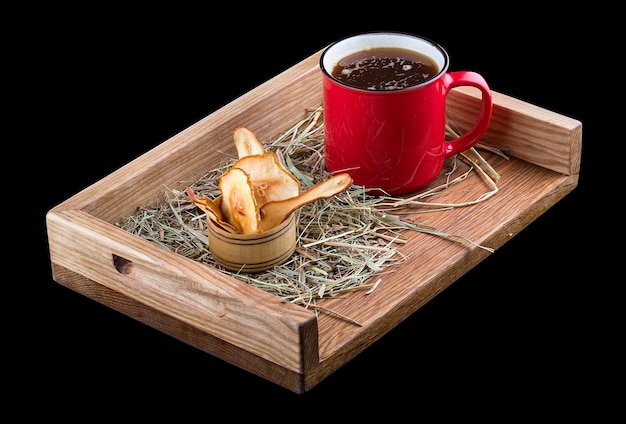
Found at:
(474, 134)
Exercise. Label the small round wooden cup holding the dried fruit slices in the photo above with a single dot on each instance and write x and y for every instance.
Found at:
(252, 253)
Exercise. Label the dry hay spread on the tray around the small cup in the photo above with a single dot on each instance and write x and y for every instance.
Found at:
(342, 241)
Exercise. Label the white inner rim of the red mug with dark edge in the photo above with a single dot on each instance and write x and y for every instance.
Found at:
(357, 42)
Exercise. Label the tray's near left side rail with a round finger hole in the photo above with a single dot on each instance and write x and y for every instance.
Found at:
(193, 293)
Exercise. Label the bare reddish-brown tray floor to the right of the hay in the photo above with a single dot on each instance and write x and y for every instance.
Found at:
(525, 192)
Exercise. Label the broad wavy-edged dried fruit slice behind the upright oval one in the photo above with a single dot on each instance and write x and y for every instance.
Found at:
(270, 180)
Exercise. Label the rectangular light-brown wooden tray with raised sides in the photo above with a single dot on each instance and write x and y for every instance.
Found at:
(257, 331)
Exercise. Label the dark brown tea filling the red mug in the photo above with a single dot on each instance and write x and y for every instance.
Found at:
(385, 68)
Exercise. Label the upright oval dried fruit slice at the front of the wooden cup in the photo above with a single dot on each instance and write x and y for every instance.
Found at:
(238, 204)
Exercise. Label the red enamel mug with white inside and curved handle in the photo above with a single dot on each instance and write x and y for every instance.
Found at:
(394, 141)
